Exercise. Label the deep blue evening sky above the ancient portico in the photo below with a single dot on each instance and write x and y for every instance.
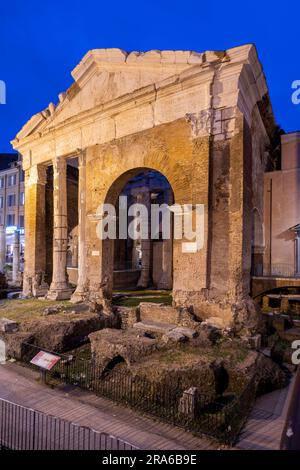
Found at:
(42, 41)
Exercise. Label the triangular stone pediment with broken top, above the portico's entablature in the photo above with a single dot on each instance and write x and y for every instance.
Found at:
(106, 74)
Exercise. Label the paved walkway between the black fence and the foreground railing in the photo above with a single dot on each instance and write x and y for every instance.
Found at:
(19, 384)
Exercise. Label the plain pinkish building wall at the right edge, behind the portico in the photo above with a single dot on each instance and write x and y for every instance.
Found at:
(282, 212)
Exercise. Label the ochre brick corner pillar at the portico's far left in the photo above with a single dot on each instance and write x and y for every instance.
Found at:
(35, 235)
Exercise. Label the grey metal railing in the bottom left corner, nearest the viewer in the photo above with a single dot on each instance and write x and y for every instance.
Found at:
(23, 428)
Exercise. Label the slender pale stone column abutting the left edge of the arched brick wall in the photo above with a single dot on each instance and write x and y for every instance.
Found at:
(80, 291)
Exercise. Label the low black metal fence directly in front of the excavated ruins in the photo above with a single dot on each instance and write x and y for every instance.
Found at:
(220, 418)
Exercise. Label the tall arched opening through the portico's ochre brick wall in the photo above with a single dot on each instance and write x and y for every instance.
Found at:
(143, 259)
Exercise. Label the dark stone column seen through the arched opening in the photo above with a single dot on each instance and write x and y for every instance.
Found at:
(143, 197)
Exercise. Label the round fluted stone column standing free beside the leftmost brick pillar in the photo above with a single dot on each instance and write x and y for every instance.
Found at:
(59, 289)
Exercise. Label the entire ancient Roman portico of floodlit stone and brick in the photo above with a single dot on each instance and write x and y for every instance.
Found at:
(203, 120)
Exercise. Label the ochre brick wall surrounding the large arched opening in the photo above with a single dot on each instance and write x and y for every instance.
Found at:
(184, 162)
